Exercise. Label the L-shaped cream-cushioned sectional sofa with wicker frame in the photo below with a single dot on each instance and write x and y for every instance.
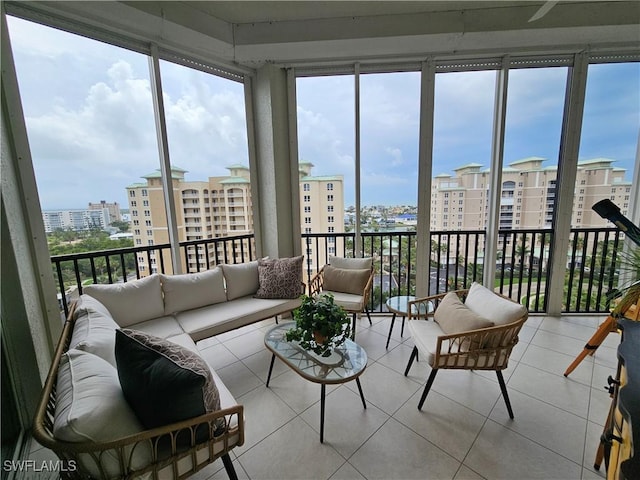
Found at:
(90, 413)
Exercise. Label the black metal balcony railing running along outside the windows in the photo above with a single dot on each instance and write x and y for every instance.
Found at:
(456, 260)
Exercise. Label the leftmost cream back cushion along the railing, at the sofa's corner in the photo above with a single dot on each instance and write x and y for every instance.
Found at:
(130, 302)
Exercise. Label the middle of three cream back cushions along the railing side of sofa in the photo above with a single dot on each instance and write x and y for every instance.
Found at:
(192, 290)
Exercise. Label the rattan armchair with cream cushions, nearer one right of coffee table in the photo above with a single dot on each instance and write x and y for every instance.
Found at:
(486, 348)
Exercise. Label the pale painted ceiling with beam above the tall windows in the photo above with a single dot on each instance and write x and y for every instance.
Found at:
(250, 33)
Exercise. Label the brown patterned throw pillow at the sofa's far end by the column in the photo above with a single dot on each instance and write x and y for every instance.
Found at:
(280, 277)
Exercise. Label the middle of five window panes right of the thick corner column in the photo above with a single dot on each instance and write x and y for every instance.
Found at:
(463, 113)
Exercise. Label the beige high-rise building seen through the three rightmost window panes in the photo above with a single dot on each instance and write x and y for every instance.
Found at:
(528, 192)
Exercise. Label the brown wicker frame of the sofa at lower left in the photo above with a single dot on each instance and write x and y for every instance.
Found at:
(176, 451)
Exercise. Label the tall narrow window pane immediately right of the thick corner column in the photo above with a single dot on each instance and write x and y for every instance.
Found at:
(326, 145)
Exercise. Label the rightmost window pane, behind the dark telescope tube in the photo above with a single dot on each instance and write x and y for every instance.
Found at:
(608, 147)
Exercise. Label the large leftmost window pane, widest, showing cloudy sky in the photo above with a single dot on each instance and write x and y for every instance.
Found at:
(90, 124)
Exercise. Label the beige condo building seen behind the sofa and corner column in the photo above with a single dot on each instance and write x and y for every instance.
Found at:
(222, 207)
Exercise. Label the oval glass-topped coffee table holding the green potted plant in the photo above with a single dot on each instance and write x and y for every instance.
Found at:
(346, 363)
